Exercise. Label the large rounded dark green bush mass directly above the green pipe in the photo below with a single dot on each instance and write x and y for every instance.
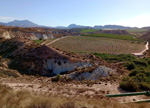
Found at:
(138, 79)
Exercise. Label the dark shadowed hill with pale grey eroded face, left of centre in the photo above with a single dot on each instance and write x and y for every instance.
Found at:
(30, 58)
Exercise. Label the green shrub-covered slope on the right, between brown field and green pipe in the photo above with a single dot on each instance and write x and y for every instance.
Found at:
(139, 71)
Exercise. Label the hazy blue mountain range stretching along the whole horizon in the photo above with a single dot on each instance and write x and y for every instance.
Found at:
(27, 23)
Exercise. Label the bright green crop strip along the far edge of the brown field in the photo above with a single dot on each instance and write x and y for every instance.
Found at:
(114, 36)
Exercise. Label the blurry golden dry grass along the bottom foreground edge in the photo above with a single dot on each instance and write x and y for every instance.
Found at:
(24, 99)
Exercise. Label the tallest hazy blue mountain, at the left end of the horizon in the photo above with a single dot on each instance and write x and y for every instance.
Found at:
(22, 23)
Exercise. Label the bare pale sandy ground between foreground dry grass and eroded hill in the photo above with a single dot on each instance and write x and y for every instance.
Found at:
(46, 86)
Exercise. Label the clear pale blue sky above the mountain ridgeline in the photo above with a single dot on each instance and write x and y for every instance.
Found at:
(133, 13)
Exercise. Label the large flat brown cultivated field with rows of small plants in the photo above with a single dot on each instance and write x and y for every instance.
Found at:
(98, 44)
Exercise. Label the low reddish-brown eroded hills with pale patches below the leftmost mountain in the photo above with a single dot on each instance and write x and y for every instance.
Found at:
(33, 33)
